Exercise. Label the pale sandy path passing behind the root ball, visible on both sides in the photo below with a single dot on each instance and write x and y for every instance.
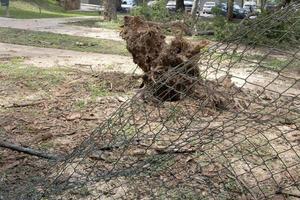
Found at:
(47, 57)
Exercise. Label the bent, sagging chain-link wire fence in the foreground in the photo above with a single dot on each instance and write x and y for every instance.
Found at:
(247, 148)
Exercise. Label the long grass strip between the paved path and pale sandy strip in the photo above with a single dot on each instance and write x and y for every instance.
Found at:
(61, 41)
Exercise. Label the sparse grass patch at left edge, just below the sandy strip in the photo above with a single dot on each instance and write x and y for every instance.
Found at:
(33, 77)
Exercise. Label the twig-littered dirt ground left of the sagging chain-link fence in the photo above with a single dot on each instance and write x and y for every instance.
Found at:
(54, 113)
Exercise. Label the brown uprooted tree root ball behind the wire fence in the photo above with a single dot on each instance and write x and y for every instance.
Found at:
(170, 70)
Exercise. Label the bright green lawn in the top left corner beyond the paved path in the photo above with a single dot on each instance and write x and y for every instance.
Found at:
(29, 9)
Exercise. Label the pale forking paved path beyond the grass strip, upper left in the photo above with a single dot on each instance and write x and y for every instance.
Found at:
(58, 25)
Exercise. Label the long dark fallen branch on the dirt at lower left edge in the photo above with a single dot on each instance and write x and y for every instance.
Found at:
(29, 151)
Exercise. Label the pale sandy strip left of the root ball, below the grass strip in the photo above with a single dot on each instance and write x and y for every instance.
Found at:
(47, 57)
